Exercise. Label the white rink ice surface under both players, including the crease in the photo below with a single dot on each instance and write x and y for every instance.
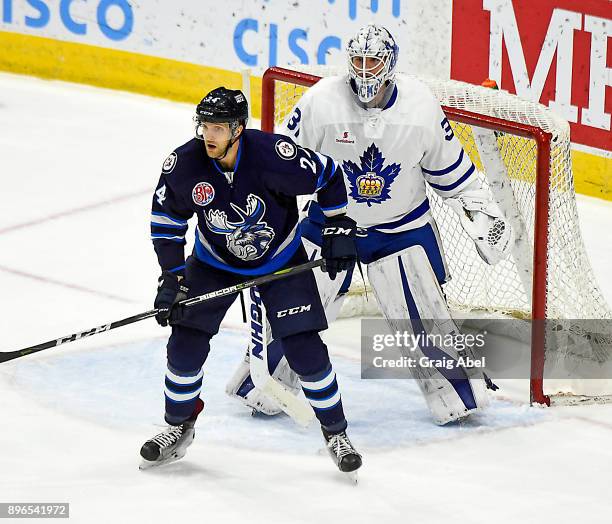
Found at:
(77, 168)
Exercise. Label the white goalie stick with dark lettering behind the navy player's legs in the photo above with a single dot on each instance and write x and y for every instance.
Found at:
(291, 404)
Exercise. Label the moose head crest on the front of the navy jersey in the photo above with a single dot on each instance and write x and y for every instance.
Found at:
(248, 239)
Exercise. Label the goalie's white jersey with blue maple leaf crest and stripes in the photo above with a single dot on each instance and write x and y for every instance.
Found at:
(387, 155)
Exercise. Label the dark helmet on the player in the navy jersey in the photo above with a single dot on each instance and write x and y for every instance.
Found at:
(221, 106)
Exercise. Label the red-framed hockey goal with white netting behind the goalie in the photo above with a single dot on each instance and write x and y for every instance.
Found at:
(522, 150)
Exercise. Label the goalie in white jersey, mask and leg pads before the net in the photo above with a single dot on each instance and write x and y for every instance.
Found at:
(392, 138)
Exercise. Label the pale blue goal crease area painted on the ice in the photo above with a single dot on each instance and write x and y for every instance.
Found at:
(127, 391)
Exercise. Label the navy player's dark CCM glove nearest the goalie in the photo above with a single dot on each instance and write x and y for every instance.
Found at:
(338, 248)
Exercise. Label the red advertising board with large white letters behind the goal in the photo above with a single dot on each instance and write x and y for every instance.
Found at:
(557, 52)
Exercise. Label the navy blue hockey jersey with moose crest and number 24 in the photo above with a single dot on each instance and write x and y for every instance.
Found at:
(248, 218)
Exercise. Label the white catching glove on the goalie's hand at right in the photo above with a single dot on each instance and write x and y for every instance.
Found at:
(484, 222)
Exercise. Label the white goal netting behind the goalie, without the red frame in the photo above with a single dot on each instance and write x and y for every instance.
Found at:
(572, 291)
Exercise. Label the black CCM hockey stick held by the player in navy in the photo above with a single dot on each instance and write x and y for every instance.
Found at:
(11, 355)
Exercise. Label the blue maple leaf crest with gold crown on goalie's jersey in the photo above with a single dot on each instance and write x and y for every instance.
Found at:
(371, 182)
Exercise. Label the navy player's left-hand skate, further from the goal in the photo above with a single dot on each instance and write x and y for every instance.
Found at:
(169, 445)
